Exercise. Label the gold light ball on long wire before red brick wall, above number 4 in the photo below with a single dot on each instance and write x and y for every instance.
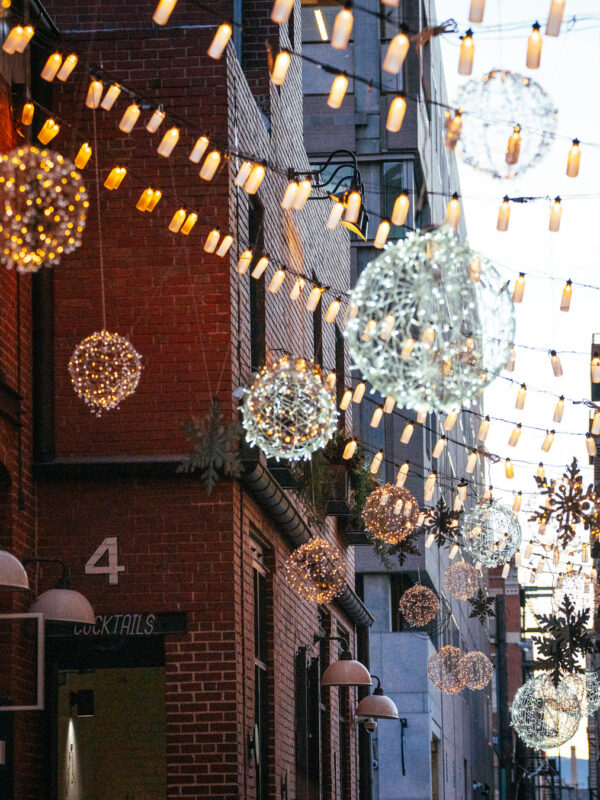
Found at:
(105, 369)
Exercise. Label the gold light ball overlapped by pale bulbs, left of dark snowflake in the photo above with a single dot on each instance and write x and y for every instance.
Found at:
(391, 513)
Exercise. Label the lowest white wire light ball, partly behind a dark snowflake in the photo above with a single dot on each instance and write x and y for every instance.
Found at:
(538, 724)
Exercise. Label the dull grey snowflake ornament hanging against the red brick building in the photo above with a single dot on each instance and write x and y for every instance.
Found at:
(215, 447)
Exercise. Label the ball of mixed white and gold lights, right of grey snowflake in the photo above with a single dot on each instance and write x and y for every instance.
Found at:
(288, 411)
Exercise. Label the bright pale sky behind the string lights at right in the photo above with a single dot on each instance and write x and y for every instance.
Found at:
(570, 74)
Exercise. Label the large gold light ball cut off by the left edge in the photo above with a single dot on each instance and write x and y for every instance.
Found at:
(43, 208)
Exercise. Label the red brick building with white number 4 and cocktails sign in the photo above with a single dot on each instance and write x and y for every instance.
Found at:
(199, 619)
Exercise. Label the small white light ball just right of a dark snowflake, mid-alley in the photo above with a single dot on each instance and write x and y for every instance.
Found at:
(492, 534)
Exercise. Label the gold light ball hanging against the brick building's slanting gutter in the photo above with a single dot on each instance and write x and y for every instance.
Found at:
(316, 571)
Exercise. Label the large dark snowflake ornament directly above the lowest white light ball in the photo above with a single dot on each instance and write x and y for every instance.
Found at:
(565, 641)
